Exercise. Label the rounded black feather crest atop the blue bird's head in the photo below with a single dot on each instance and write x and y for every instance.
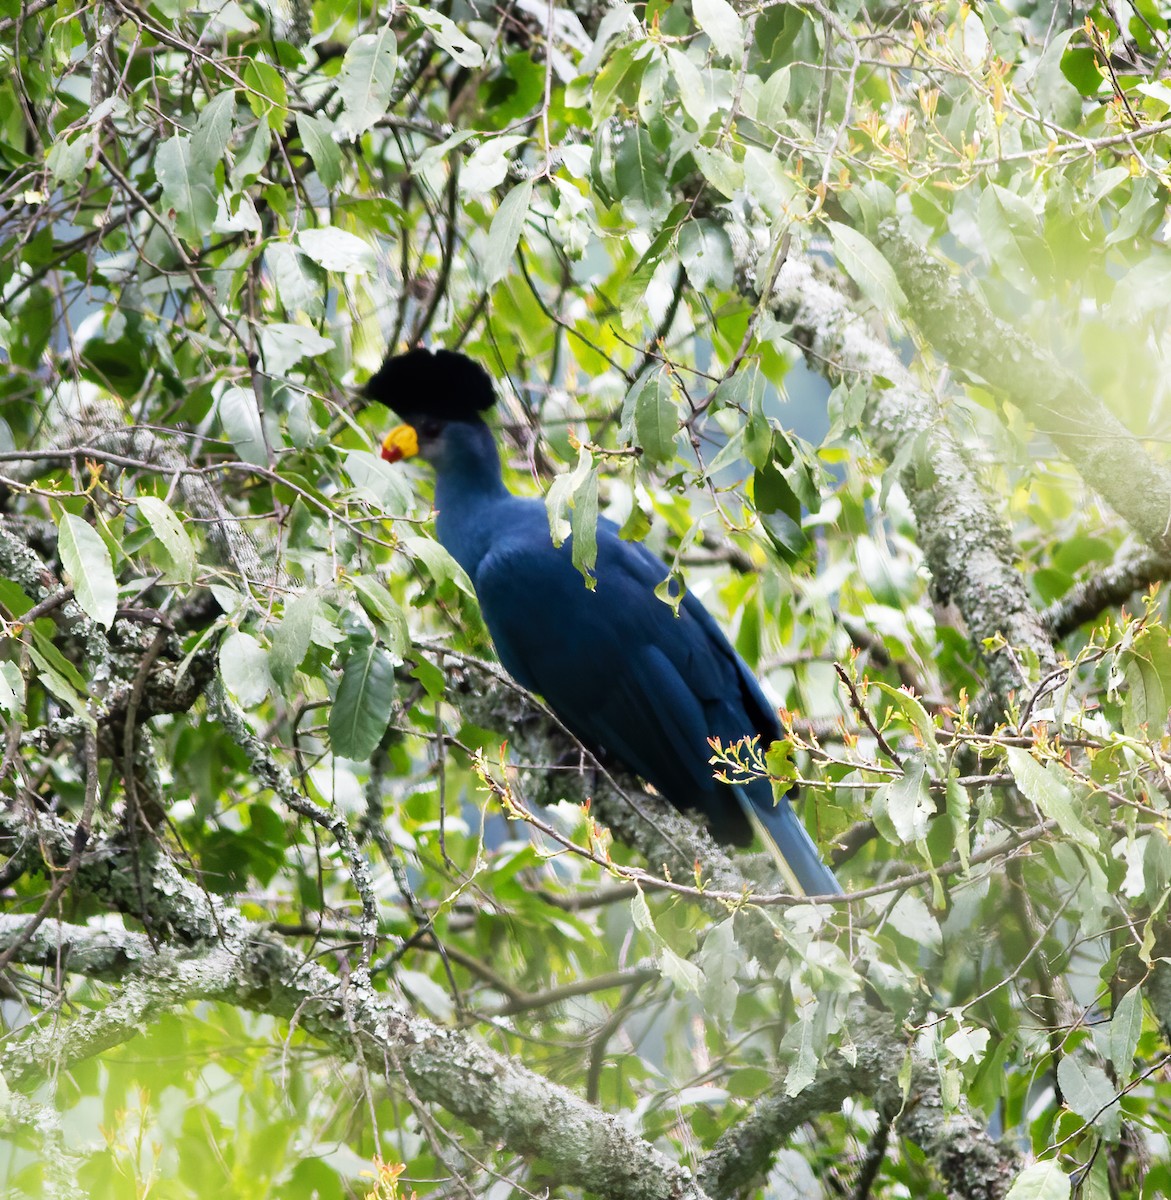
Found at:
(425, 383)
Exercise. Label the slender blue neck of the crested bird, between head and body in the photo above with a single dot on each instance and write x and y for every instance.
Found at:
(469, 494)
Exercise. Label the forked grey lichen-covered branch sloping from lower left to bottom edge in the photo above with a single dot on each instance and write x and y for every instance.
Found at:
(501, 1099)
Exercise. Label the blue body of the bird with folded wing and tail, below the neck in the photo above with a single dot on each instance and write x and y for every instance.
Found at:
(629, 677)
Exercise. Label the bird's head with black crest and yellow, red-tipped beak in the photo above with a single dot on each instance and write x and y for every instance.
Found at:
(434, 393)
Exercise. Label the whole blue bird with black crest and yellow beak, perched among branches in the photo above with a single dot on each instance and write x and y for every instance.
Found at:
(634, 679)
